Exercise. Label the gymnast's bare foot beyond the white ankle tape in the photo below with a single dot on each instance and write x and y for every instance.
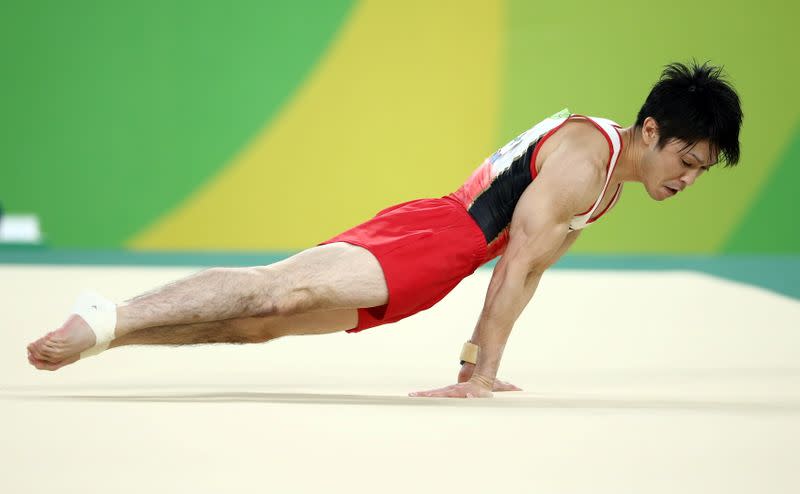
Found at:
(62, 346)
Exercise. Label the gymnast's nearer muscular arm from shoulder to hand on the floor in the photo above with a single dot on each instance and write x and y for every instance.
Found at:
(571, 177)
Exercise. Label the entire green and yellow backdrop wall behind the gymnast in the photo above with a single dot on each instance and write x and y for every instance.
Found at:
(166, 125)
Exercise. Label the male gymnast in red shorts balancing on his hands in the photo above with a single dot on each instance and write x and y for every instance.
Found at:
(527, 203)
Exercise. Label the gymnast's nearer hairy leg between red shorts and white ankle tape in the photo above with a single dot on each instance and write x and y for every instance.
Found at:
(329, 277)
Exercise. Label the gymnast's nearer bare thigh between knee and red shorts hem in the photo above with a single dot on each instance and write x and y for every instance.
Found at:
(329, 277)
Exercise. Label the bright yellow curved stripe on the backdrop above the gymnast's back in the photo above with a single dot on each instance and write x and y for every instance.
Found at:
(404, 105)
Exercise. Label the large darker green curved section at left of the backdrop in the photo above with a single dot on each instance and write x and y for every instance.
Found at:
(117, 111)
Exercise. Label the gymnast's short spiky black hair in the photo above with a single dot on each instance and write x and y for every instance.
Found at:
(692, 103)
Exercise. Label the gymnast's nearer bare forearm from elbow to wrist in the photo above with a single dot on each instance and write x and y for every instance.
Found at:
(509, 292)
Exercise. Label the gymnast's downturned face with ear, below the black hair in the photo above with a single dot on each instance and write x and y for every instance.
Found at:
(674, 167)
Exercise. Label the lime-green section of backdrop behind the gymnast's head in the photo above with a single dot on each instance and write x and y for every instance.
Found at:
(604, 61)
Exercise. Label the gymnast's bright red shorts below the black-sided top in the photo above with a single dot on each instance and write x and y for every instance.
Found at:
(425, 248)
